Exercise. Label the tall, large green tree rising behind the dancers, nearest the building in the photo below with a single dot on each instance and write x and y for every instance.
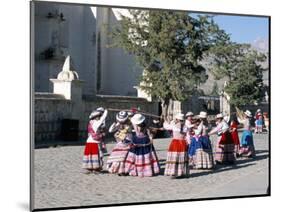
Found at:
(169, 46)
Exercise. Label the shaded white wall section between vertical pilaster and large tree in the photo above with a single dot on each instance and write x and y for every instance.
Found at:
(120, 73)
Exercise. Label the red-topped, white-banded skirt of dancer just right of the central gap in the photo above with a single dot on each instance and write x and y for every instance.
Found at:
(177, 160)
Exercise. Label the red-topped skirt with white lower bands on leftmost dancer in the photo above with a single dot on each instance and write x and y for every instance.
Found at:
(92, 158)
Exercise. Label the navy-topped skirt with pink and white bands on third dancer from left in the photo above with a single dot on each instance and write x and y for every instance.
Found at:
(142, 161)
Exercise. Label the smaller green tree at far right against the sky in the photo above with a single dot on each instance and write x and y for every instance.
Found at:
(242, 66)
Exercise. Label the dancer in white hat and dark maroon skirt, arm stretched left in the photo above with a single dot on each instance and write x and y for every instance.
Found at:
(225, 146)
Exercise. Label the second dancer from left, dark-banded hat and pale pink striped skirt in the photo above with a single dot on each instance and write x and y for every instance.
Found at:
(123, 136)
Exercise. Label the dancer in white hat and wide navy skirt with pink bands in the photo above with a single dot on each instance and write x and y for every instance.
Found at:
(141, 160)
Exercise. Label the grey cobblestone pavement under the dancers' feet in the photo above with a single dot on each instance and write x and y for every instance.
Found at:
(60, 181)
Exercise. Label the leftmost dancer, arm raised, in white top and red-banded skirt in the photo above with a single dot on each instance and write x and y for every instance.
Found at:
(93, 156)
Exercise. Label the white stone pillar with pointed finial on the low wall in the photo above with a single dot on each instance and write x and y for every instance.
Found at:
(69, 85)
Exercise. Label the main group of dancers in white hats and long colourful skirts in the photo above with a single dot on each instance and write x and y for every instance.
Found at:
(134, 153)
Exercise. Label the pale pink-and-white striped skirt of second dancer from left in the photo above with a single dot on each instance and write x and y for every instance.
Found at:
(116, 160)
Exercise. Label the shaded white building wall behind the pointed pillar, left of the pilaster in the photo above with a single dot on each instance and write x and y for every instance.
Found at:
(76, 36)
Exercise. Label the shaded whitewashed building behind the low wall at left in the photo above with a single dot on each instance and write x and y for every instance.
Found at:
(82, 33)
